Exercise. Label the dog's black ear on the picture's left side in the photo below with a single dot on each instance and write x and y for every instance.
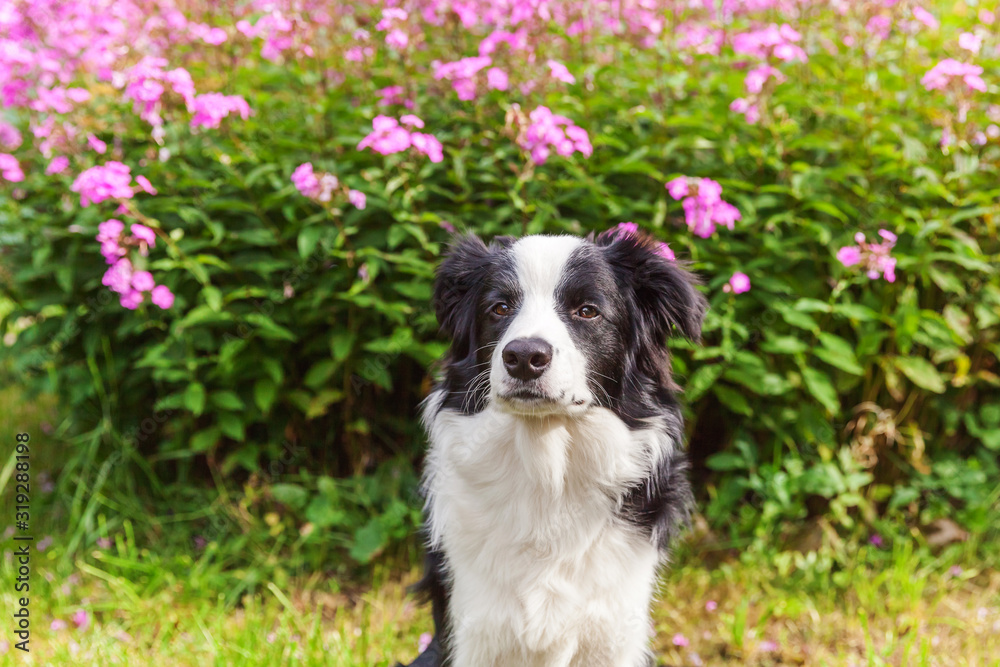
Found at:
(457, 289)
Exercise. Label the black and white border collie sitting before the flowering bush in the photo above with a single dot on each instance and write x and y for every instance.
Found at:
(555, 478)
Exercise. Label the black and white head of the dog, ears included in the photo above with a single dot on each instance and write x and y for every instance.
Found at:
(559, 324)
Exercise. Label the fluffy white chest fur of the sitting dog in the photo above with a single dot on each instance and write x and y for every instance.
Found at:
(542, 570)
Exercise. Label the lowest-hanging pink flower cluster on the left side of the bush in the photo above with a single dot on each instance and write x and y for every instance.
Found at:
(131, 285)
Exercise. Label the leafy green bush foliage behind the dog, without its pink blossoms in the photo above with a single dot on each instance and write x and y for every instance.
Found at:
(306, 327)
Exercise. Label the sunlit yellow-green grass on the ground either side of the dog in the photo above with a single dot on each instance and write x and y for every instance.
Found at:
(914, 609)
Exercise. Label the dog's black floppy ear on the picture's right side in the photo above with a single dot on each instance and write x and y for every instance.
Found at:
(665, 292)
